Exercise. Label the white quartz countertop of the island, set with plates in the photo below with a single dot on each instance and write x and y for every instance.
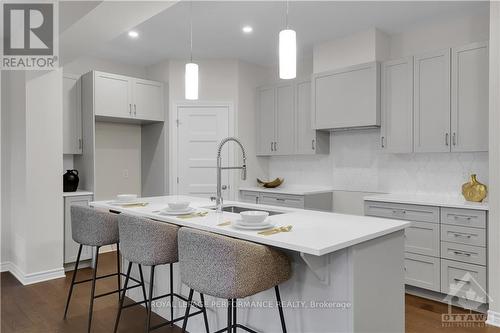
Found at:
(316, 233)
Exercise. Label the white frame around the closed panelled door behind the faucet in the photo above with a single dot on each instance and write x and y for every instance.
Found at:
(173, 146)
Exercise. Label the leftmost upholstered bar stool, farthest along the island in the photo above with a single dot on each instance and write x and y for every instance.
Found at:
(92, 227)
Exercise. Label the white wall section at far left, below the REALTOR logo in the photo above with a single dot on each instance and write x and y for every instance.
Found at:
(32, 210)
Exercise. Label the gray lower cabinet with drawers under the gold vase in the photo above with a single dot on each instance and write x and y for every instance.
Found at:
(445, 248)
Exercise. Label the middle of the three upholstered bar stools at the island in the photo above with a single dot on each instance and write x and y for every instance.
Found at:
(151, 243)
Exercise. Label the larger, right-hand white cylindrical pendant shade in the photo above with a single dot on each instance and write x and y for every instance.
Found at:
(287, 54)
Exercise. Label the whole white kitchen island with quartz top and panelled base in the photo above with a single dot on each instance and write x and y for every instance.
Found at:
(347, 270)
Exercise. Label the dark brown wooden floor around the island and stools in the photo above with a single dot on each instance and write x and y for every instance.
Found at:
(39, 308)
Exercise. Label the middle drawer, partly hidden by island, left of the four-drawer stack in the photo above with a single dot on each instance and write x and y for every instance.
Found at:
(422, 238)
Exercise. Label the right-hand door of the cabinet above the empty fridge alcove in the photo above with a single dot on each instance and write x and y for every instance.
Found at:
(148, 100)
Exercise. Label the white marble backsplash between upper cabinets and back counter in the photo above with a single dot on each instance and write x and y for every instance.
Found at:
(356, 163)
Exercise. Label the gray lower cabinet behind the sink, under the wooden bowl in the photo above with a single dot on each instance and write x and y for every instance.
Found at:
(317, 201)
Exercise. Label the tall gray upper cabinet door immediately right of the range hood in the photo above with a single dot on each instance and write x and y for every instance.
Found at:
(397, 106)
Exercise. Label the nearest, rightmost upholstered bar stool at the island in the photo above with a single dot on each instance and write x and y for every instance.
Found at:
(229, 268)
